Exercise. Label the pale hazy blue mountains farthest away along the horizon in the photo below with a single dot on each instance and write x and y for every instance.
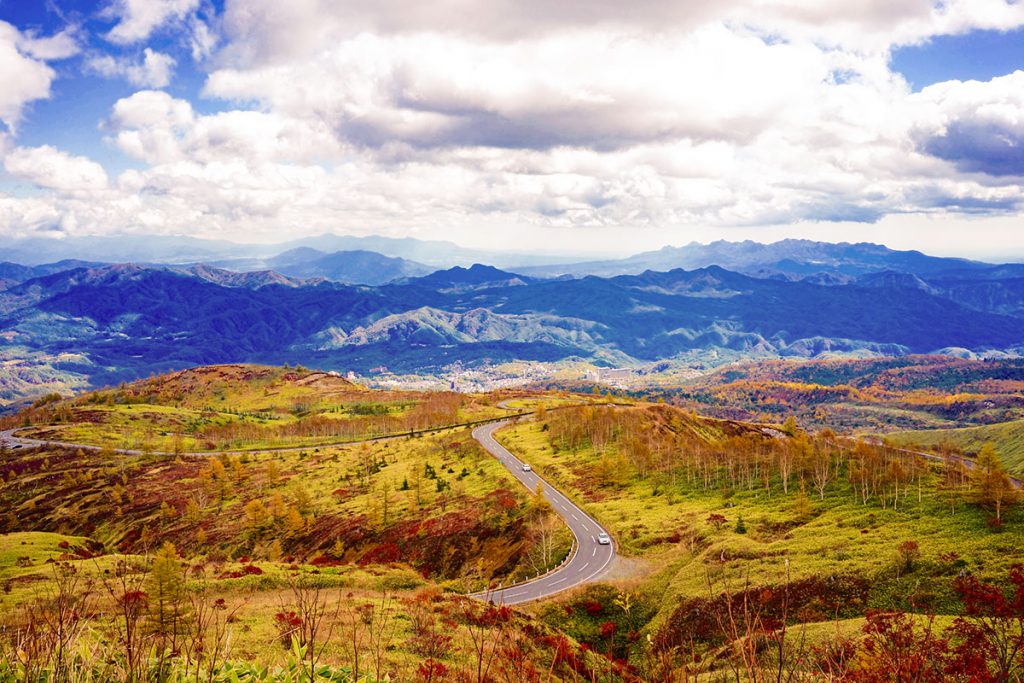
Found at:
(373, 261)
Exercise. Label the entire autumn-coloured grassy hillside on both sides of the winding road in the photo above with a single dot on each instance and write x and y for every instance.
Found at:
(820, 533)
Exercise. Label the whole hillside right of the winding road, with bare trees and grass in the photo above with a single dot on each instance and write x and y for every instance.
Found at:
(712, 514)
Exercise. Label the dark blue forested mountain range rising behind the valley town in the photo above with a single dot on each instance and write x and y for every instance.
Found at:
(130, 320)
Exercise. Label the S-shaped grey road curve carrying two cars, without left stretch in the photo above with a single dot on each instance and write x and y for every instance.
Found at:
(589, 561)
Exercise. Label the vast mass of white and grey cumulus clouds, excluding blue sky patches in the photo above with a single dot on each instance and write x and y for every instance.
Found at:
(359, 116)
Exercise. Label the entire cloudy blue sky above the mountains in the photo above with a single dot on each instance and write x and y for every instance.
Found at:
(580, 126)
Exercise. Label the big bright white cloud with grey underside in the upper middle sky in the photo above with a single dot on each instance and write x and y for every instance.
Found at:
(420, 91)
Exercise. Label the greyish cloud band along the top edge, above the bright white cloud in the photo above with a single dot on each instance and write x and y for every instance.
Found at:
(271, 31)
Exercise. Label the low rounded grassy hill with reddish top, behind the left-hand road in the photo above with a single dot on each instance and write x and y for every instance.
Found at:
(195, 410)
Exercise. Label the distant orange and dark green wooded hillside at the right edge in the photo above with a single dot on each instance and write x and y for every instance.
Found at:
(861, 396)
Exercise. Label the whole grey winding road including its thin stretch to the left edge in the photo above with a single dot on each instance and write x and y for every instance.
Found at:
(588, 561)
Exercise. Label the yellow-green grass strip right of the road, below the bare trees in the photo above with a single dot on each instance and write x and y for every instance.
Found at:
(668, 531)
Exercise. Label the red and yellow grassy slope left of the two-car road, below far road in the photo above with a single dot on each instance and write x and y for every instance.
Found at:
(474, 510)
